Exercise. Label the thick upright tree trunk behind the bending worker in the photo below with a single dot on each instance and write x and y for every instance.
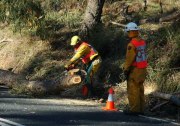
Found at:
(92, 16)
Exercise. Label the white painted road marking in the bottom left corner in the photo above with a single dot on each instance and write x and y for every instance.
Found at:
(5, 122)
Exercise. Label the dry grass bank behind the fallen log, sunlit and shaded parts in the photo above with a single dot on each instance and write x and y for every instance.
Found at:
(31, 56)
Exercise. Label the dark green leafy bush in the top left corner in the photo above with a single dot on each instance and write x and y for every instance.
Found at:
(22, 13)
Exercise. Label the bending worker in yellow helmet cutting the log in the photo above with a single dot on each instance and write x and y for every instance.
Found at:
(89, 57)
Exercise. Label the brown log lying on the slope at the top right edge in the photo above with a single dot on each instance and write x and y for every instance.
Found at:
(173, 16)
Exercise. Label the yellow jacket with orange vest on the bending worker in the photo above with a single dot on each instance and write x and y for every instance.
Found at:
(84, 51)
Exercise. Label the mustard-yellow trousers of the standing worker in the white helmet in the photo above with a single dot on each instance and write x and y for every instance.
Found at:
(135, 89)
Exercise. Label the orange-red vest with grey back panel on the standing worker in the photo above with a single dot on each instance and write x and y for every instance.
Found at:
(140, 59)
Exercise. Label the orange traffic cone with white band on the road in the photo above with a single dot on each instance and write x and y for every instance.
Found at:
(110, 102)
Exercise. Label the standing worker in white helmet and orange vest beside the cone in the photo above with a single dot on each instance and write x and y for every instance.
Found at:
(135, 70)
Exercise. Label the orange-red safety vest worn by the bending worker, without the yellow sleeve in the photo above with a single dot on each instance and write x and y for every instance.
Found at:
(89, 55)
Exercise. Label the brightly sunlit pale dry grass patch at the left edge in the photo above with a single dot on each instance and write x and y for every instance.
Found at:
(18, 52)
